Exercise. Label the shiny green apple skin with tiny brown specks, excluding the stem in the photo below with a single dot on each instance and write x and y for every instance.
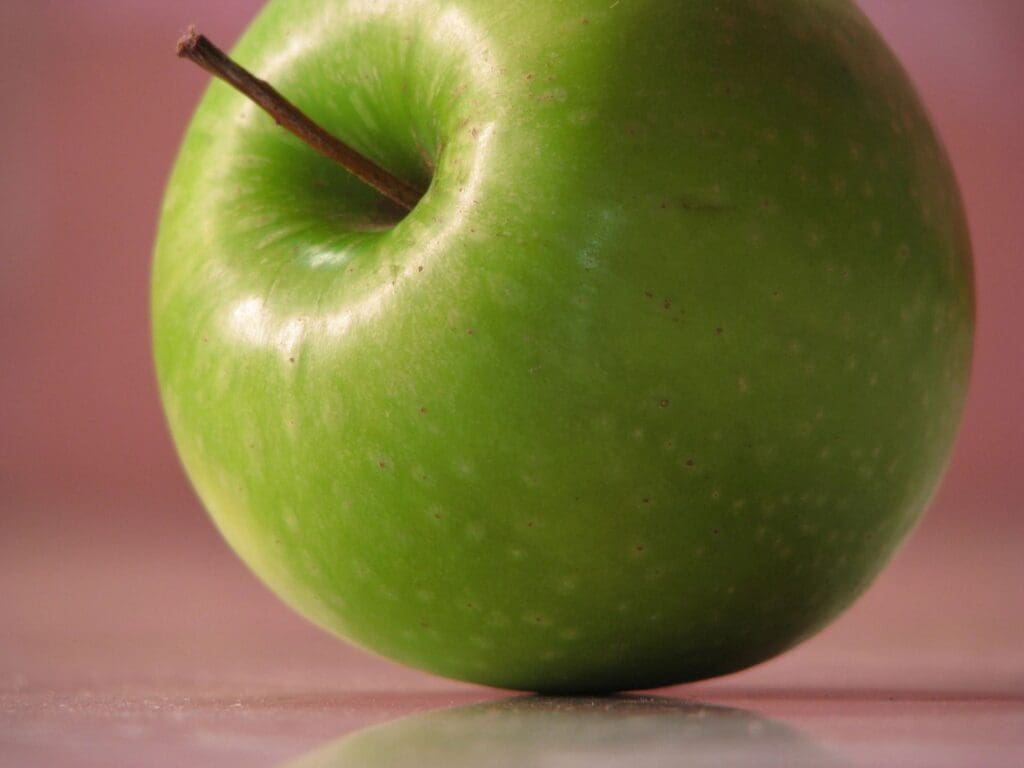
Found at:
(647, 390)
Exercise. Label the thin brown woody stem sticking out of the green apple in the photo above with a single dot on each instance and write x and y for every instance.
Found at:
(199, 50)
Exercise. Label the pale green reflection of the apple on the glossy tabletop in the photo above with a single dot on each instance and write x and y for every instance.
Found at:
(539, 732)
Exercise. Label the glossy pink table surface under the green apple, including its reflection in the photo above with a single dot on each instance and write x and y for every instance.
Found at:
(139, 639)
